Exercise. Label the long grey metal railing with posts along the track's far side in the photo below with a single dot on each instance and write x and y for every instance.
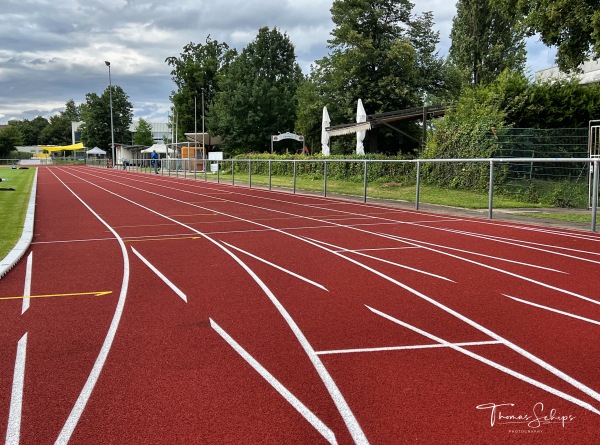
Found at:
(185, 168)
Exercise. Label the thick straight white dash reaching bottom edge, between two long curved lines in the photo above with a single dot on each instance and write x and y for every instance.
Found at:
(282, 390)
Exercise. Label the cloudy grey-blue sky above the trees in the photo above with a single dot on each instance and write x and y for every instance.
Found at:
(53, 51)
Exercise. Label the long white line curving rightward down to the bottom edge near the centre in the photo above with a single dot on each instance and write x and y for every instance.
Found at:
(334, 392)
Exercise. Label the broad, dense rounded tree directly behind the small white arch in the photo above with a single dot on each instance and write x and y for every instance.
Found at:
(258, 94)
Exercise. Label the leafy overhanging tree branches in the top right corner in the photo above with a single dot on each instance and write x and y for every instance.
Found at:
(572, 26)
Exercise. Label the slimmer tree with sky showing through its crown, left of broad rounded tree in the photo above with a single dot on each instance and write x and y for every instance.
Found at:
(197, 71)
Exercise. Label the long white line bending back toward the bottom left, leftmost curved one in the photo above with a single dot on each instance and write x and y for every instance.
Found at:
(88, 387)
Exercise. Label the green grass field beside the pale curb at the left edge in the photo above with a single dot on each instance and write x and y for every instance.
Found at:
(13, 205)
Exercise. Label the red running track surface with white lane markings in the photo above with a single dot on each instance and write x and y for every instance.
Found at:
(156, 310)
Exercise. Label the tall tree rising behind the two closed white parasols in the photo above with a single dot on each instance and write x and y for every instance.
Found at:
(382, 54)
